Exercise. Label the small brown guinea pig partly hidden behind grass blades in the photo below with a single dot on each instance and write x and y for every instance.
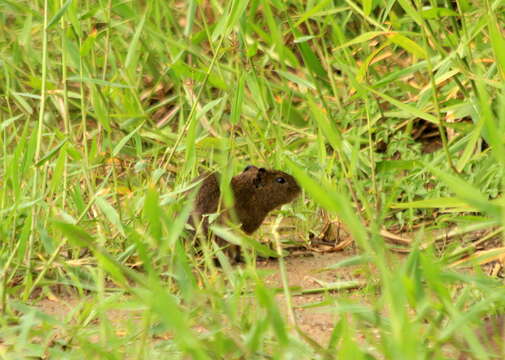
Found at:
(256, 192)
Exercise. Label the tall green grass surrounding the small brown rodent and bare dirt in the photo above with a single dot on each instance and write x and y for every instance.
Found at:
(109, 108)
